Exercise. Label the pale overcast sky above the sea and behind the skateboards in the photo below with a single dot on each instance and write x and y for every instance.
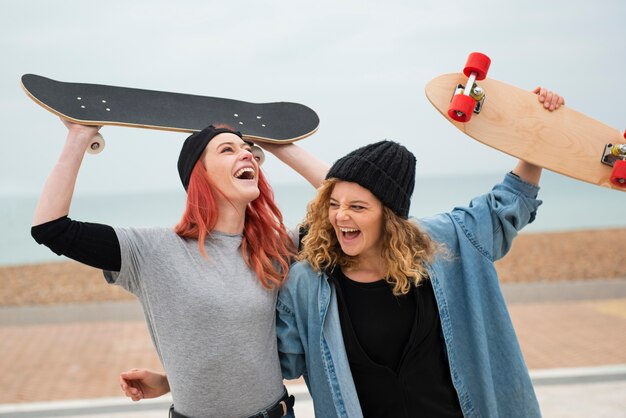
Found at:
(362, 65)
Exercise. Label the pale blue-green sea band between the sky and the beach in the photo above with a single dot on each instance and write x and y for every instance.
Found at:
(568, 205)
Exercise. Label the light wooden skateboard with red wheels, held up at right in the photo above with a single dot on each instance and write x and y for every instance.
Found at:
(511, 120)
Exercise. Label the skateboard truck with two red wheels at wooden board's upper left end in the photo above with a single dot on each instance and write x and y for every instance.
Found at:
(470, 100)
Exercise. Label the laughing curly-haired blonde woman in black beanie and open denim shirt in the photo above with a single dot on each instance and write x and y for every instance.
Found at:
(386, 316)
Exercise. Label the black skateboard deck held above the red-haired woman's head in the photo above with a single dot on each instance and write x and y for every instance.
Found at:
(95, 104)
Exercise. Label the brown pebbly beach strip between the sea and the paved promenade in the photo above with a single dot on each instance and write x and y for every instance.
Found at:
(562, 256)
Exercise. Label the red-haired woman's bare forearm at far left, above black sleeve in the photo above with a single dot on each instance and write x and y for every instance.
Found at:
(56, 196)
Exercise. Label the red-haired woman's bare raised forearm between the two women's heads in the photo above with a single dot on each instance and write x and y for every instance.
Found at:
(304, 163)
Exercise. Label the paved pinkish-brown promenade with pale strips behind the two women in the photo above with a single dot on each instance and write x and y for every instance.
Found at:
(64, 360)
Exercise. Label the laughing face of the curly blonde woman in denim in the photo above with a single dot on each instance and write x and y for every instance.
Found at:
(357, 217)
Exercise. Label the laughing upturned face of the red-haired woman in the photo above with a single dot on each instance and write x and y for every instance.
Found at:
(233, 168)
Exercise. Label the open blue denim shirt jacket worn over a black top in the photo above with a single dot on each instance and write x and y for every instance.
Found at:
(486, 363)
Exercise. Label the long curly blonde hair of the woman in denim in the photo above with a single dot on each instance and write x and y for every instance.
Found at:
(406, 248)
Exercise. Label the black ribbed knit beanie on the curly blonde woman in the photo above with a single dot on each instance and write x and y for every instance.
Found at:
(386, 168)
